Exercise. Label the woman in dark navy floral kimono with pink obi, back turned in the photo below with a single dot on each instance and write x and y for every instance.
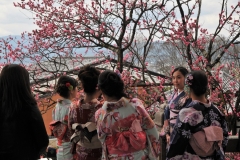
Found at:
(199, 114)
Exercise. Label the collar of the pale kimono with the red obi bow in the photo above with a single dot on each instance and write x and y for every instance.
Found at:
(109, 106)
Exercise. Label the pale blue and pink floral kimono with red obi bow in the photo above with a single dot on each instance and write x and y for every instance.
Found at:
(126, 131)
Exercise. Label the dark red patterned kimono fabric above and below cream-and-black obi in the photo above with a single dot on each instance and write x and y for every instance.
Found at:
(83, 113)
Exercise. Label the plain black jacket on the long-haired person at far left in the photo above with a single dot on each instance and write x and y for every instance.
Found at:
(23, 137)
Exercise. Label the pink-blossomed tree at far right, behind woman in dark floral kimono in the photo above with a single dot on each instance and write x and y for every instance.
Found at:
(204, 50)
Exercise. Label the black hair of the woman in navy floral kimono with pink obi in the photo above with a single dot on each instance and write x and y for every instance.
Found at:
(199, 82)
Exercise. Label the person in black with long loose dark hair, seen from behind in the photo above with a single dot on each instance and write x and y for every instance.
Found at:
(22, 132)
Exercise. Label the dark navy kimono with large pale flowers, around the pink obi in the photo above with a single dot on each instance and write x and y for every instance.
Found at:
(192, 119)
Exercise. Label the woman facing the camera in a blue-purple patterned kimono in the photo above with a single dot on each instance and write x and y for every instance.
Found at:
(179, 99)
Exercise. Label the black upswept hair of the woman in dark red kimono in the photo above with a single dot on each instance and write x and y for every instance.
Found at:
(88, 75)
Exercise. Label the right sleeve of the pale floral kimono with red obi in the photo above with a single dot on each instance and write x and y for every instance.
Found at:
(149, 127)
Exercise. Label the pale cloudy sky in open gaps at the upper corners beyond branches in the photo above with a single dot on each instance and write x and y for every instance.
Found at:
(14, 21)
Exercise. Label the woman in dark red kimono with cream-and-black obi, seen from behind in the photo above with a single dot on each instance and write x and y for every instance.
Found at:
(84, 113)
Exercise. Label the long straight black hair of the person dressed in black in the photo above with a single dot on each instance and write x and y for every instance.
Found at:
(15, 91)
